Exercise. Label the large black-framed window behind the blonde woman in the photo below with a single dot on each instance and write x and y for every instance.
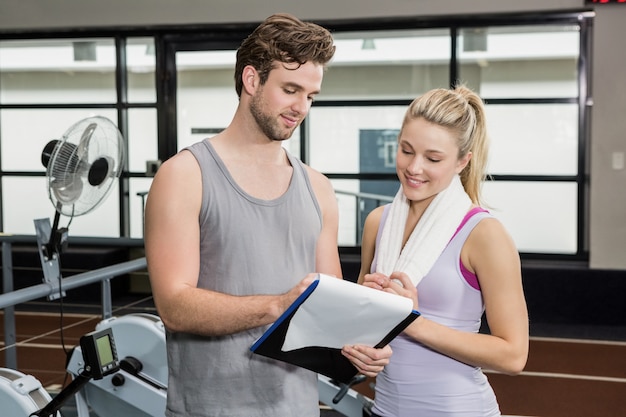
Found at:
(529, 76)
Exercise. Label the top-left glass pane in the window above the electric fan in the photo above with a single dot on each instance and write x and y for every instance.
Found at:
(57, 71)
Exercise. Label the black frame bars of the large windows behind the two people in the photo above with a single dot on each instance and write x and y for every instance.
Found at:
(169, 39)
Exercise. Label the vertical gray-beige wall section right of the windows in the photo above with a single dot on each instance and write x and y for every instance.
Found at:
(608, 135)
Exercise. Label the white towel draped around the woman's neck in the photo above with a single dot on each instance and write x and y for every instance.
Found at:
(429, 238)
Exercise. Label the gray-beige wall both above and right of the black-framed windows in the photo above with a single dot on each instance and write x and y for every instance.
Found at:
(608, 186)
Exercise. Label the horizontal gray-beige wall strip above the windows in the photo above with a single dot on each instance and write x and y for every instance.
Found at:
(21, 14)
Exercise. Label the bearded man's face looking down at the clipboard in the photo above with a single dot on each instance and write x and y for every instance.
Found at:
(280, 105)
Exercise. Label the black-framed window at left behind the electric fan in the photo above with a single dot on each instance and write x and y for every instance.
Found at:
(47, 85)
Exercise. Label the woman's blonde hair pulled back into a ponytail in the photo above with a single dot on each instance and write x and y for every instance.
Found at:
(461, 111)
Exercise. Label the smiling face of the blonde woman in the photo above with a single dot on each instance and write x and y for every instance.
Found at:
(427, 159)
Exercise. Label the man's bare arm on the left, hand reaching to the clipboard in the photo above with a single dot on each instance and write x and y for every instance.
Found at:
(172, 243)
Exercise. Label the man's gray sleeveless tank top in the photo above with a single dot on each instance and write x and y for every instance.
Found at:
(247, 246)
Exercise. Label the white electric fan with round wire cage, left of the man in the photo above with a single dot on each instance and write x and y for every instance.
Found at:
(81, 169)
